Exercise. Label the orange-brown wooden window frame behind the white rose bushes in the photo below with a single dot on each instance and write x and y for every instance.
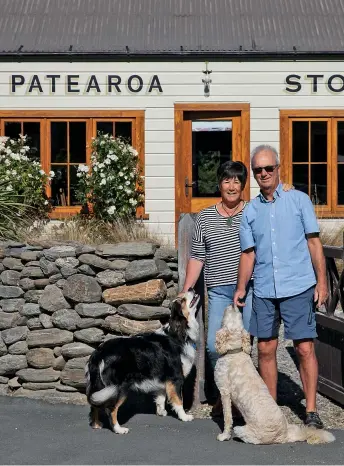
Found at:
(90, 116)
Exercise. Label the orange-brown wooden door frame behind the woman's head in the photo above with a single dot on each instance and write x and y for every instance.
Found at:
(179, 109)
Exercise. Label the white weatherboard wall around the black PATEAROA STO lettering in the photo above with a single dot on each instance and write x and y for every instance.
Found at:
(261, 84)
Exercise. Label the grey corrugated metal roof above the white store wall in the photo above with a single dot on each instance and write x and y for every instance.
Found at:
(171, 26)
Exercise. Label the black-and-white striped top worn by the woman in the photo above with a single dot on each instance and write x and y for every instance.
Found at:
(218, 245)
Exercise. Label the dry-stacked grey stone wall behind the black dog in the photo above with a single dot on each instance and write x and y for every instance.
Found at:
(58, 302)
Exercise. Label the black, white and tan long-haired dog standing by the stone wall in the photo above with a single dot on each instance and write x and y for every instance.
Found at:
(152, 362)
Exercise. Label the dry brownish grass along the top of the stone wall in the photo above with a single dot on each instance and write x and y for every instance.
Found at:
(90, 231)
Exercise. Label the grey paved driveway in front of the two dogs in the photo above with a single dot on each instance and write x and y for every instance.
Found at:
(34, 432)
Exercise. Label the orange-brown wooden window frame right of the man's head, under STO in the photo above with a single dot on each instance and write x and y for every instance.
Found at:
(332, 209)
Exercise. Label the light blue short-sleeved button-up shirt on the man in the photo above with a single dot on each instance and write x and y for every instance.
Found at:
(276, 230)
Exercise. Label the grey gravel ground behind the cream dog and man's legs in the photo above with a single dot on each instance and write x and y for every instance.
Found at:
(290, 394)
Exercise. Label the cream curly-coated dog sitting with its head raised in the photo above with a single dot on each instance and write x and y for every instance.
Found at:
(239, 383)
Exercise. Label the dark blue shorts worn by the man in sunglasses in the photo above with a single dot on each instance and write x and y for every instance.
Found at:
(296, 312)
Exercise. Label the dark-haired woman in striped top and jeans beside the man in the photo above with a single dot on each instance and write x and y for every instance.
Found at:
(216, 247)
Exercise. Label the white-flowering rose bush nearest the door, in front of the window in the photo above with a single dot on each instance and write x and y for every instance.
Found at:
(112, 185)
